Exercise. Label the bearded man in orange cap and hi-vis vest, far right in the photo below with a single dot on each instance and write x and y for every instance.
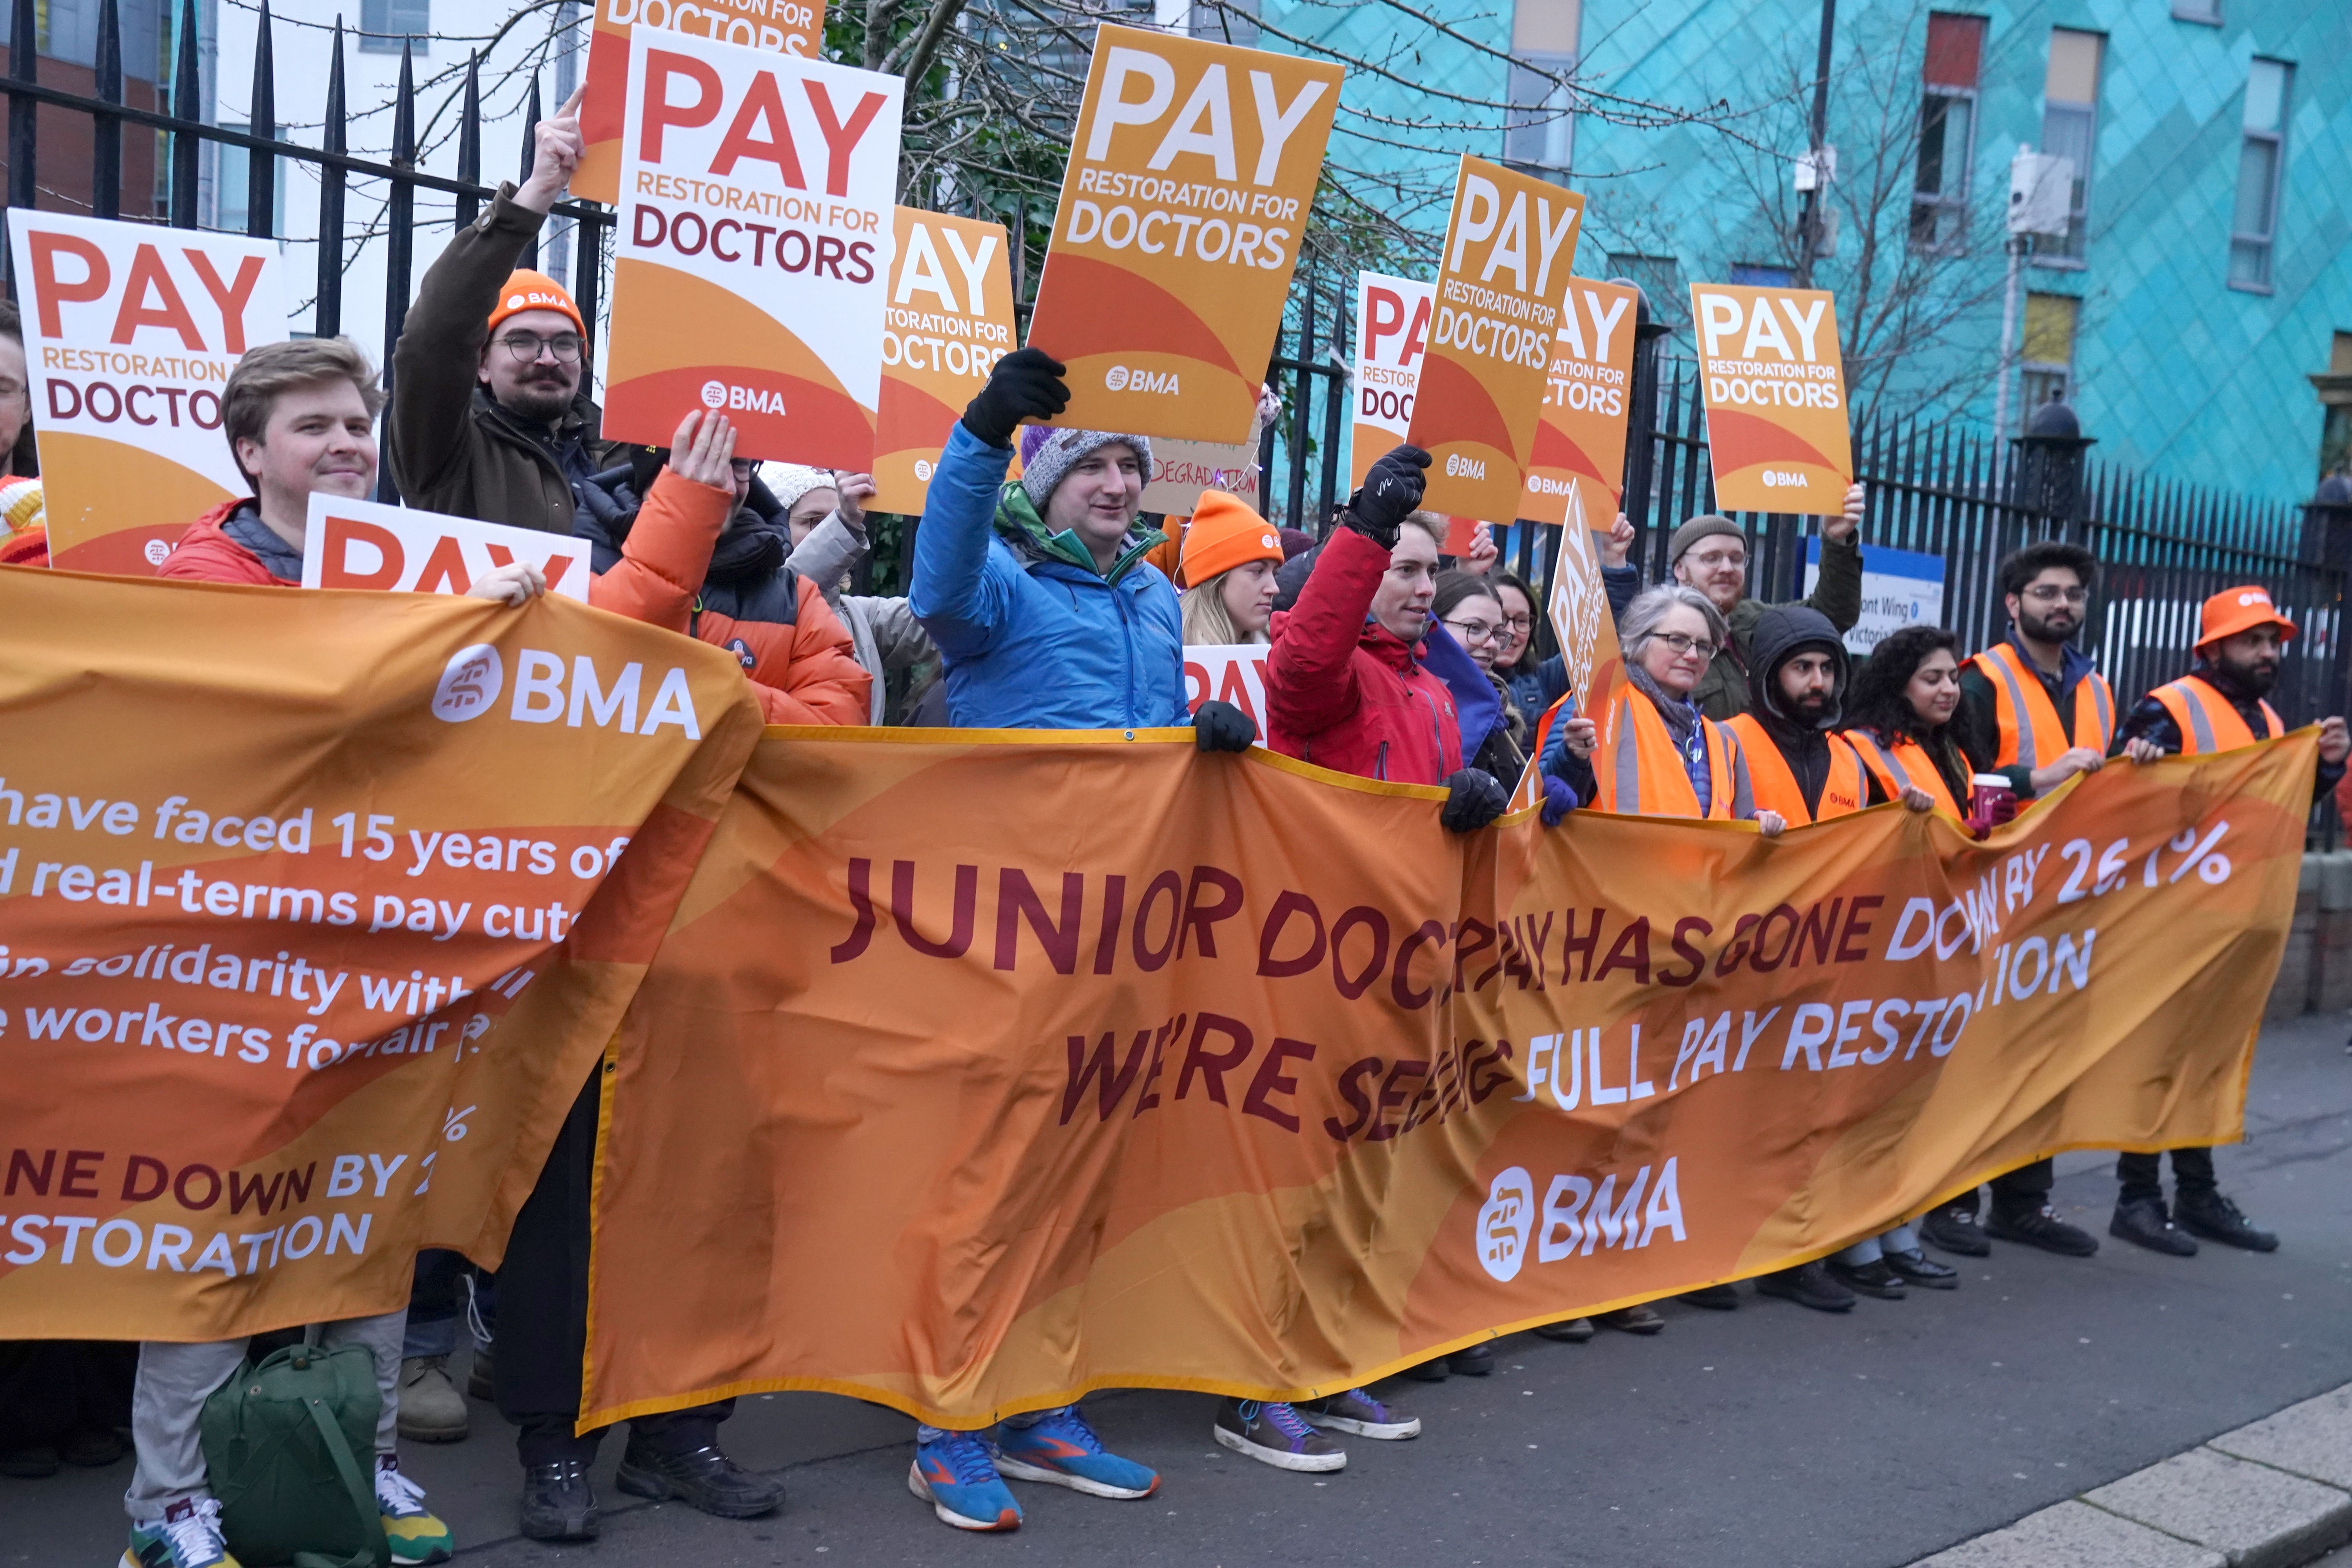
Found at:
(2219, 706)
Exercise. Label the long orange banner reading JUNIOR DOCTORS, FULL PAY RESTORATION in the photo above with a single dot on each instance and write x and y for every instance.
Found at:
(958, 1090)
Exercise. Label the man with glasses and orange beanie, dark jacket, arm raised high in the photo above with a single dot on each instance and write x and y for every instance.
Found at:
(490, 413)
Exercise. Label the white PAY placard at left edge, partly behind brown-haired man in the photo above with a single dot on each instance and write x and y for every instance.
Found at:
(128, 337)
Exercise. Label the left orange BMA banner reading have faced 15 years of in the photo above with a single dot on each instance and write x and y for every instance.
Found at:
(316, 911)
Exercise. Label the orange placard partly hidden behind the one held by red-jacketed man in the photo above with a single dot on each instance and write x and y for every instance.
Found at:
(1586, 396)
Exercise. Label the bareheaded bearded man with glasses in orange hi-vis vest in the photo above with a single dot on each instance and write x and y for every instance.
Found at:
(2033, 709)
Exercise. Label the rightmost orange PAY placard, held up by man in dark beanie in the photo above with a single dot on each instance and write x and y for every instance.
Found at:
(1777, 398)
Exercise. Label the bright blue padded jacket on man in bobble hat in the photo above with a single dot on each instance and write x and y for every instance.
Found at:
(1034, 636)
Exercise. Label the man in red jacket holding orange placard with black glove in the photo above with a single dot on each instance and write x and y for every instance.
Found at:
(1351, 681)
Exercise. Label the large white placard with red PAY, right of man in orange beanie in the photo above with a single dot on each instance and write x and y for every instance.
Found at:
(754, 250)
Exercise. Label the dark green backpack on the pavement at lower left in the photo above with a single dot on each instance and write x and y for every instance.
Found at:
(290, 1452)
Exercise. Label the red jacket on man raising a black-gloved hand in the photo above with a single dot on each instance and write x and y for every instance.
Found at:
(1342, 692)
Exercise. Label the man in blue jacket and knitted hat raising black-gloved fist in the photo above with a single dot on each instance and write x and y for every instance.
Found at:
(1048, 615)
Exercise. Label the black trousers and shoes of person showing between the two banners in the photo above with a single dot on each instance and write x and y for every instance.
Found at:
(544, 1313)
